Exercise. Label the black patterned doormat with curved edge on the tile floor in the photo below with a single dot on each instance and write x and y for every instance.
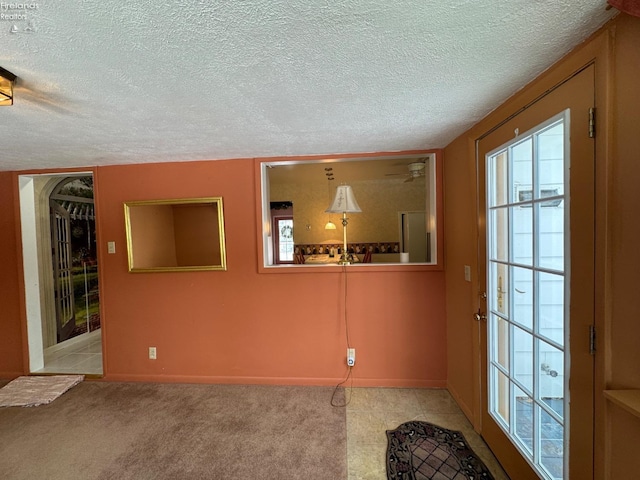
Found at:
(423, 451)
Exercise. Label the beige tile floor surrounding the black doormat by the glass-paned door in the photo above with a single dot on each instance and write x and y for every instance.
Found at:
(372, 411)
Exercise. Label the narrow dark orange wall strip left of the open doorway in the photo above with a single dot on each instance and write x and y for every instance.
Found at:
(10, 292)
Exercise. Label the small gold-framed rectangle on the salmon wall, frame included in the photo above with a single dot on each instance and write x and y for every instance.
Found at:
(175, 235)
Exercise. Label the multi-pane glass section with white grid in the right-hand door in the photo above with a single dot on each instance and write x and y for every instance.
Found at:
(527, 290)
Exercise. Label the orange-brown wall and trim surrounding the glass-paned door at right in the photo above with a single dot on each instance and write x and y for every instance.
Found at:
(617, 58)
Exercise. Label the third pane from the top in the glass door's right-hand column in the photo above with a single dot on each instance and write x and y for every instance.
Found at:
(550, 305)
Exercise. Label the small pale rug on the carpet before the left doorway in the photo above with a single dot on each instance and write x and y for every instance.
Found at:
(36, 390)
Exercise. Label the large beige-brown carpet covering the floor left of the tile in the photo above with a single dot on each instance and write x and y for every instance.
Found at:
(101, 430)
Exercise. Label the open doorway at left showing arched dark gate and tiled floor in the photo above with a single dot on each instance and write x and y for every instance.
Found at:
(60, 265)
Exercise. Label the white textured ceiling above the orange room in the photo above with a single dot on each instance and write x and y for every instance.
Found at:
(111, 82)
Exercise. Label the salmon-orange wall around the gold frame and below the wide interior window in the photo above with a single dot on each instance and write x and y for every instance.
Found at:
(241, 326)
